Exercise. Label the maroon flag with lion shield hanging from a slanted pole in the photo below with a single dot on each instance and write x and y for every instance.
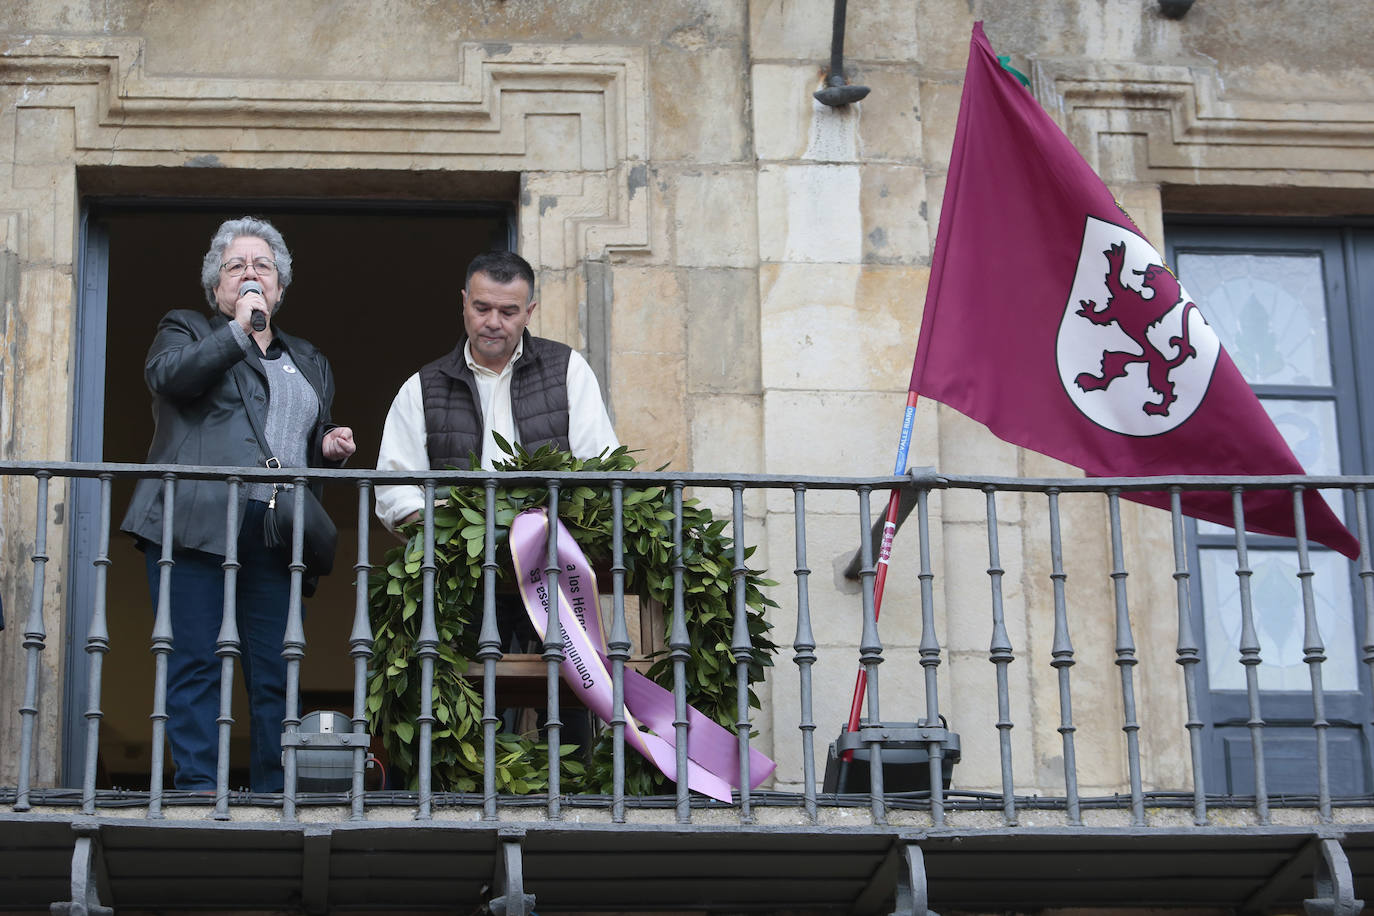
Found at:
(1053, 322)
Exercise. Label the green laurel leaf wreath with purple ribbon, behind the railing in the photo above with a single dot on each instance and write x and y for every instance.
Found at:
(396, 593)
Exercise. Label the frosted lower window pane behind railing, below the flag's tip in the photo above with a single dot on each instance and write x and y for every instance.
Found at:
(1277, 601)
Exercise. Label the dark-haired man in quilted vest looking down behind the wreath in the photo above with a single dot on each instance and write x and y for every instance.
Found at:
(499, 380)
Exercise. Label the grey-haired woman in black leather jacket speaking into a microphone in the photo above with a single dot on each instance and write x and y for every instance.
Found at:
(207, 374)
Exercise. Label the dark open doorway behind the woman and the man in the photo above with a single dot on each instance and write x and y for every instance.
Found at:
(376, 288)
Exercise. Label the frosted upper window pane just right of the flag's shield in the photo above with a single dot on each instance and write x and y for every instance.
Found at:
(1269, 310)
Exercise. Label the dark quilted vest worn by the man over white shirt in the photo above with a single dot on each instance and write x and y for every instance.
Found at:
(453, 410)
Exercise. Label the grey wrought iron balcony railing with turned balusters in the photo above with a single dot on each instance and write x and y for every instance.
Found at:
(866, 653)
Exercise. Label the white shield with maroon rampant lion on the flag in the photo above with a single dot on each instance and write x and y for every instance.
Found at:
(1134, 352)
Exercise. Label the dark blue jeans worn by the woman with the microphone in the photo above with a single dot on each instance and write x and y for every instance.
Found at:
(197, 601)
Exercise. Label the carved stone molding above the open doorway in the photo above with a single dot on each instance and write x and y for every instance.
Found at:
(574, 117)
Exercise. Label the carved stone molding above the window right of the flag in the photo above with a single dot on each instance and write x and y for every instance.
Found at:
(1160, 124)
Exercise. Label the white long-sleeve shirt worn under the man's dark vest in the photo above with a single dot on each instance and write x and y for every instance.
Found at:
(403, 437)
